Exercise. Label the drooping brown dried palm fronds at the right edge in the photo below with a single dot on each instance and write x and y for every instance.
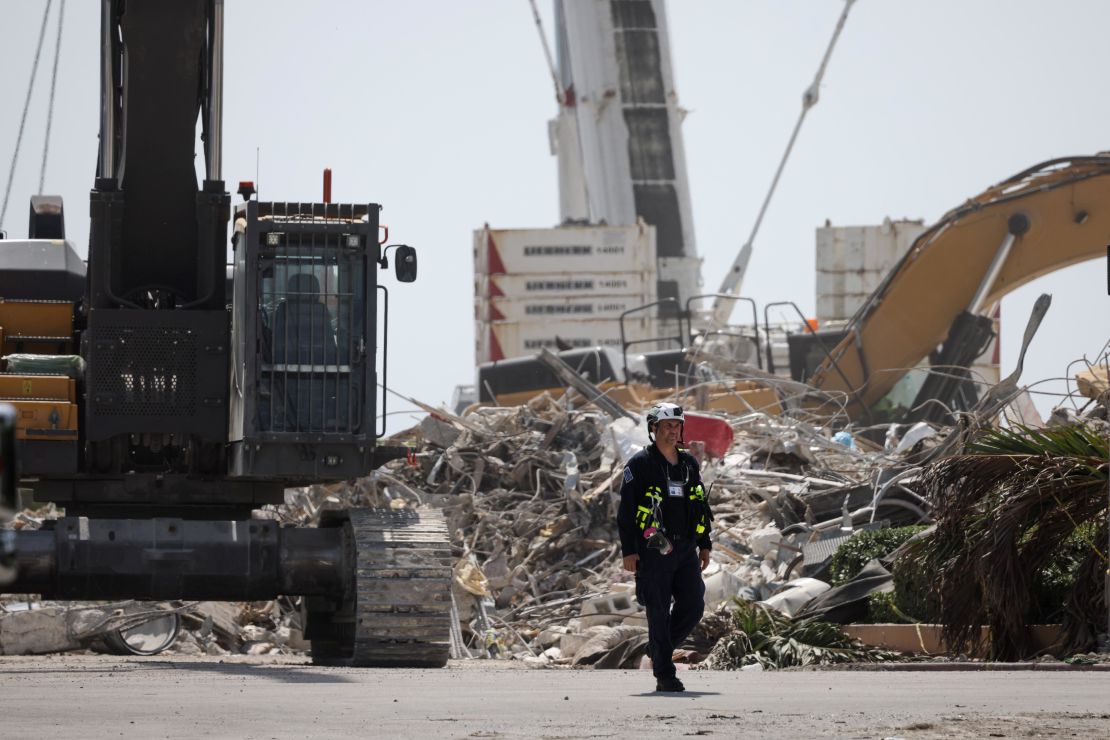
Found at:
(1003, 510)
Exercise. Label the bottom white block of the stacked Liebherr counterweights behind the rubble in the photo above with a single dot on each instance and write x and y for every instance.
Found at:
(504, 340)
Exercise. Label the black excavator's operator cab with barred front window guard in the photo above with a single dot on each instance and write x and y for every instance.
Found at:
(304, 332)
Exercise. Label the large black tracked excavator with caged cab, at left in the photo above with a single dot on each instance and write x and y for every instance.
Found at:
(162, 404)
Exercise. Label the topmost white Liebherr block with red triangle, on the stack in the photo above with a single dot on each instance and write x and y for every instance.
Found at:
(564, 250)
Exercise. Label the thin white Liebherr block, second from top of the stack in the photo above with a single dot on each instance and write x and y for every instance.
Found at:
(566, 286)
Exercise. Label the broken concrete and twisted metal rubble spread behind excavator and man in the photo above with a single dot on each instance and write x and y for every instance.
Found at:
(531, 494)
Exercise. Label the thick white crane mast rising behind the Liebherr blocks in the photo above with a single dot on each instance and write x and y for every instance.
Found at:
(618, 136)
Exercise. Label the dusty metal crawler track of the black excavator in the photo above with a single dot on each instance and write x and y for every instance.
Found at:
(399, 610)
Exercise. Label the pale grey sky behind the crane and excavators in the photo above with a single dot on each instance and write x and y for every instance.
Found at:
(439, 111)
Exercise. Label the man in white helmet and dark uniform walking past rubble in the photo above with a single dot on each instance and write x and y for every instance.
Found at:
(664, 525)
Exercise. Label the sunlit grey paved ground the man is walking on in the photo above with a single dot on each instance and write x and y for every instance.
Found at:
(99, 697)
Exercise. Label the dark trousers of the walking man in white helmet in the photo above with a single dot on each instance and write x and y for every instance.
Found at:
(659, 579)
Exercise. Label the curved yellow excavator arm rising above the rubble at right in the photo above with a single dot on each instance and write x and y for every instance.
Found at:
(1056, 215)
